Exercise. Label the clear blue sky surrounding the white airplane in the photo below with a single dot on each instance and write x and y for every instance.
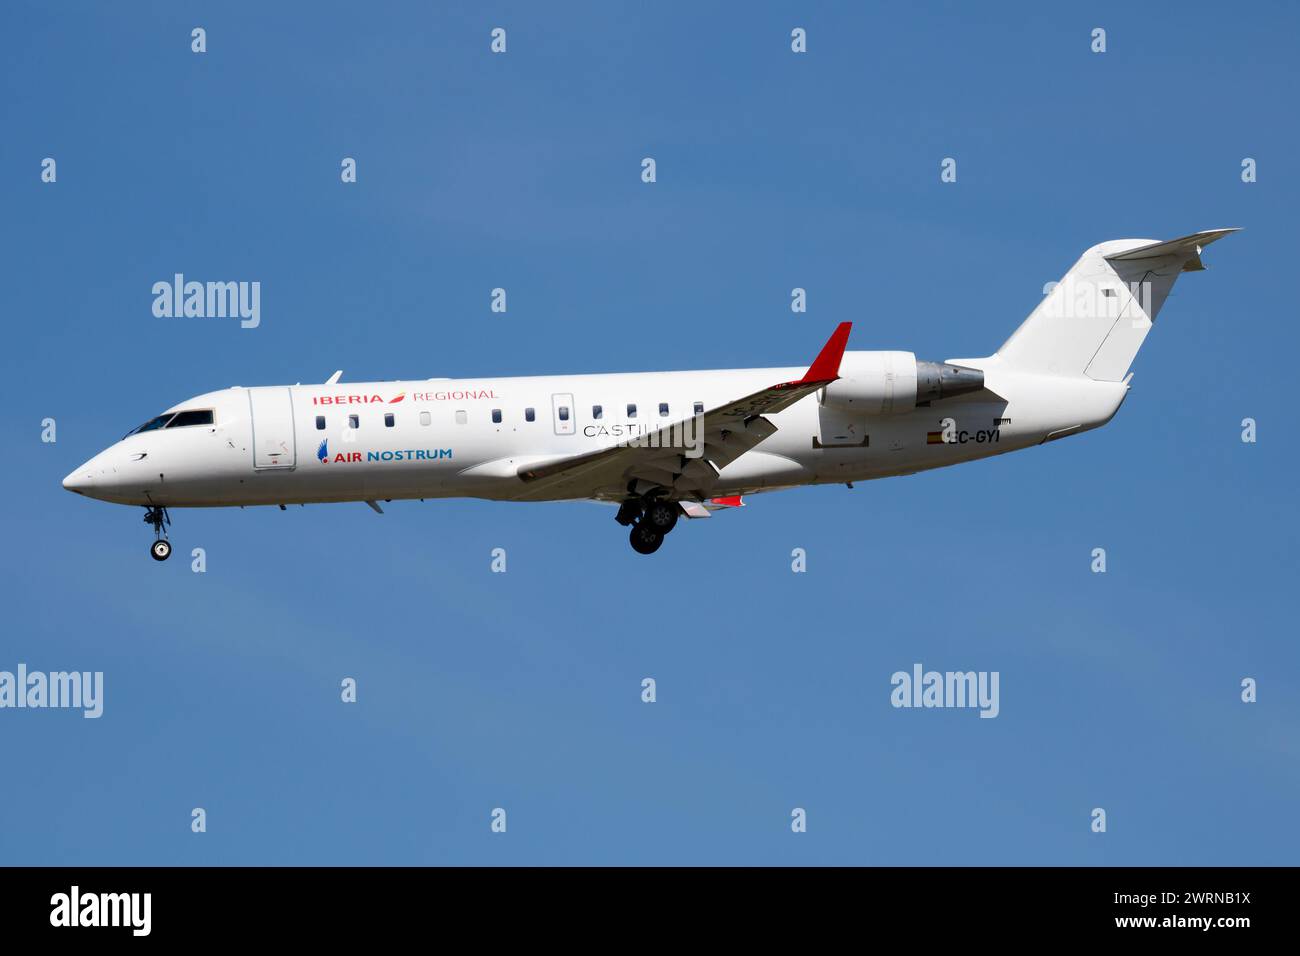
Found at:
(522, 691)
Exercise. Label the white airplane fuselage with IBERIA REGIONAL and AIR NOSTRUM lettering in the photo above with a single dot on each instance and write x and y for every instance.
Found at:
(379, 442)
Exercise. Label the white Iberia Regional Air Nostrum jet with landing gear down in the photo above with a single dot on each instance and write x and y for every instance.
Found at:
(658, 445)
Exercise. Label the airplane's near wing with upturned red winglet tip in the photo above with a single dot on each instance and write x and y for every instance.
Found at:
(687, 456)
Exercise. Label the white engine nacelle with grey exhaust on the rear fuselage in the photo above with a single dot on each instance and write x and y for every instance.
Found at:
(896, 383)
